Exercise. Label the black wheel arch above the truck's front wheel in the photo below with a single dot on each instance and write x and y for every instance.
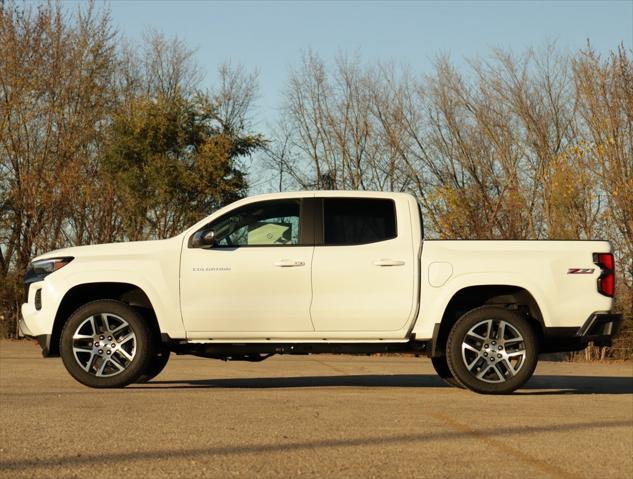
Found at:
(81, 294)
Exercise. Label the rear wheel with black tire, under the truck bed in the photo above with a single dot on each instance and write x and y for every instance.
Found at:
(498, 365)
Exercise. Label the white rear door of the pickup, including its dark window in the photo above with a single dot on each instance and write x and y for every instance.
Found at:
(363, 266)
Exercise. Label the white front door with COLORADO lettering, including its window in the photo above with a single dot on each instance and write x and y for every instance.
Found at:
(255, 278)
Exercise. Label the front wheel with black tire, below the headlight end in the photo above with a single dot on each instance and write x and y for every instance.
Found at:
(113, 344)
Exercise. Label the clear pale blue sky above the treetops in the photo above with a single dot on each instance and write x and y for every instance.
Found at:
(272, 36)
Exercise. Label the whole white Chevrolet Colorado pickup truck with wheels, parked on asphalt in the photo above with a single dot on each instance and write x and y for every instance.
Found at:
(320, 272)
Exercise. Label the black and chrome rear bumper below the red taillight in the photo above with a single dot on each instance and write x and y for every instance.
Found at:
(599, 329)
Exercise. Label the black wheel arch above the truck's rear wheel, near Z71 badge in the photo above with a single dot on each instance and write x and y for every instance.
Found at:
(472, 297)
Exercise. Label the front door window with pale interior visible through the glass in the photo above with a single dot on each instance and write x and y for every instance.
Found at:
(270, 223)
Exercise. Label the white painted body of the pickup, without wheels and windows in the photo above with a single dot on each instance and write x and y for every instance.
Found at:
(396, 290)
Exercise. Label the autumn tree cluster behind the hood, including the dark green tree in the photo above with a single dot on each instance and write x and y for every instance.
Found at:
(104, 141)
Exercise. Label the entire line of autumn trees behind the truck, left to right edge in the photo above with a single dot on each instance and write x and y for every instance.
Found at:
(103, 141)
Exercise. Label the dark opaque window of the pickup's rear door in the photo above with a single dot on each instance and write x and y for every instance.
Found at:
(357, 221)
